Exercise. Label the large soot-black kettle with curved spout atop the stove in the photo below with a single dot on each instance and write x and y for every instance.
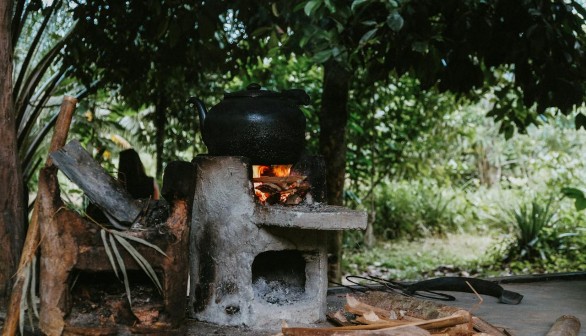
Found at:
(266, 126)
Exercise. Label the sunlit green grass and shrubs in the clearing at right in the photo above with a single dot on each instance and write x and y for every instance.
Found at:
(516, 222)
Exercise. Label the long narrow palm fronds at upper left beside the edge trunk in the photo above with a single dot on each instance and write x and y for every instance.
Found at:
(40, 30)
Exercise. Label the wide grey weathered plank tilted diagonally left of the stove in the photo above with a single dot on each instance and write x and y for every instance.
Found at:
(102, 189)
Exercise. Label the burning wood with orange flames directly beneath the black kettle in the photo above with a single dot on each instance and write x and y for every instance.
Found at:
(276, 185)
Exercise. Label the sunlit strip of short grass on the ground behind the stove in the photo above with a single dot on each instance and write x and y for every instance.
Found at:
(417, 259)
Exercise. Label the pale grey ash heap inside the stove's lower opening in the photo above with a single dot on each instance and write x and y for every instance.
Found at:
(277, 292)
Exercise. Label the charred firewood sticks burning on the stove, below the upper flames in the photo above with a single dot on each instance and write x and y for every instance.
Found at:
(287, 190)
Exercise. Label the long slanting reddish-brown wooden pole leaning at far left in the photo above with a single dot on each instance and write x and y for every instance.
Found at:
(32, 237)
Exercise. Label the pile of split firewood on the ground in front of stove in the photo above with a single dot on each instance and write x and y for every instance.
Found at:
(360, 318)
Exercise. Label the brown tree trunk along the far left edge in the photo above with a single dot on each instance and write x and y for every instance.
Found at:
(12, 207)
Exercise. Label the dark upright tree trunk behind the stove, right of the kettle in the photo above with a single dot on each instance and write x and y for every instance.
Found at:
(332, 141)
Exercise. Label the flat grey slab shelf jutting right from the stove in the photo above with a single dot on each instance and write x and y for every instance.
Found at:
(311, 217)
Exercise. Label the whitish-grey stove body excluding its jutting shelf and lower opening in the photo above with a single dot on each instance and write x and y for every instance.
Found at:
(224, 243)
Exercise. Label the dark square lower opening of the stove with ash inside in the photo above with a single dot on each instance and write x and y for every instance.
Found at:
(278, 277)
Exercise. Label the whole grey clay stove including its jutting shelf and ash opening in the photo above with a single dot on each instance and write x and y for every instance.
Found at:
(254, 264)
